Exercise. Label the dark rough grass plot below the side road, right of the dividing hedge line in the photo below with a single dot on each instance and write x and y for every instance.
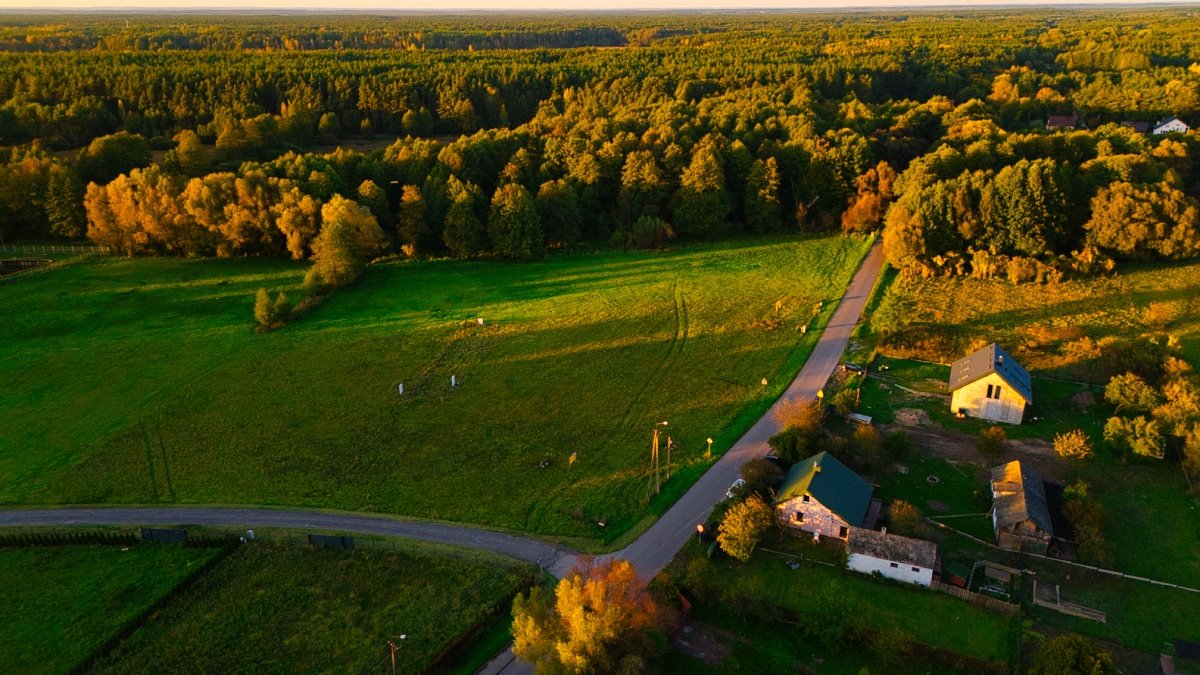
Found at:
(287, 610)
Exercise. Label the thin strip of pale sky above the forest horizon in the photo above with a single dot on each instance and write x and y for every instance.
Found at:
(535, 5)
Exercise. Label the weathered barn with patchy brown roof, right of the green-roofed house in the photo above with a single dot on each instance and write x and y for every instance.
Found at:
(1021, 512)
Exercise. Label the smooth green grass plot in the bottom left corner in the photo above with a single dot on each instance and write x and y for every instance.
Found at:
(62, 604)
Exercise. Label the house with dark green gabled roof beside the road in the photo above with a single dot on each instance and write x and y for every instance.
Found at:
(824, 498)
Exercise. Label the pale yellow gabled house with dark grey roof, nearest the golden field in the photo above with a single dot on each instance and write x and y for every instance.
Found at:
(991, 385)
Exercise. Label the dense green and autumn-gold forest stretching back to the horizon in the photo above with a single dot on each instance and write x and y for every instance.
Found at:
(511, 135)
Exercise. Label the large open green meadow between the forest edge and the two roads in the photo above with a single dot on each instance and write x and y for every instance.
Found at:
(143, 381)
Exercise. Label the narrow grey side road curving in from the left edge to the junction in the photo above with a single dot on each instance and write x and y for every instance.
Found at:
(555, 559)
